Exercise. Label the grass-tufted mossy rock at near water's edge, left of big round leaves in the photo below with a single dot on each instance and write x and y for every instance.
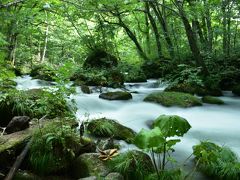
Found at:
(110, 128)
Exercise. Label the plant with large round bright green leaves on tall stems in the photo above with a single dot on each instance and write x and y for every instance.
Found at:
(157, 140)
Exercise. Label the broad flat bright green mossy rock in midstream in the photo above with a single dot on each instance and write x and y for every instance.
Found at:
(173, 99)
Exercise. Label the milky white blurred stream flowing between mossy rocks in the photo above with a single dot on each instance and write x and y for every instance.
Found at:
(217, 123)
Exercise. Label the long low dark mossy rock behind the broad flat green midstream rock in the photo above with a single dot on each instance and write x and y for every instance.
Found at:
(194, 89)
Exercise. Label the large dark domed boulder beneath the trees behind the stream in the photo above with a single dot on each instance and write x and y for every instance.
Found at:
(100, 59)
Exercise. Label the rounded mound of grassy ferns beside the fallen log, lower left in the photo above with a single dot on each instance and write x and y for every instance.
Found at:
(53, 148)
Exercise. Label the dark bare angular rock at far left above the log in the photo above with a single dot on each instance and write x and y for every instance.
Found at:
(18, 123)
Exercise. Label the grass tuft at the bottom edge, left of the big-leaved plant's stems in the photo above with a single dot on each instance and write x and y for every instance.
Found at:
(132, 164)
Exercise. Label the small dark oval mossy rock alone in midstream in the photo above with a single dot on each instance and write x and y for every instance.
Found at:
(118, 95)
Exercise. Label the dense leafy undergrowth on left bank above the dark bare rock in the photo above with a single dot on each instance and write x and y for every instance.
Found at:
(36, 103)
